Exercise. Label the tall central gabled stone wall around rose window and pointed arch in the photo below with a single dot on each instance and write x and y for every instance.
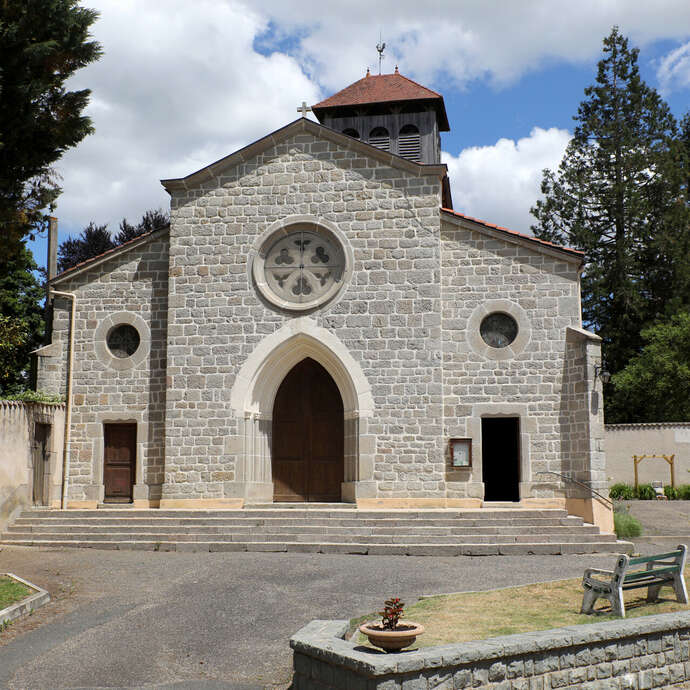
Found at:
(387, 316)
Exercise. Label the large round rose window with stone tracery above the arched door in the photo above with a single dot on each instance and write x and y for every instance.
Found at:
(299, 268)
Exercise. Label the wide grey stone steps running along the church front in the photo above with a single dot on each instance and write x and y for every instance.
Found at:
(318, 528)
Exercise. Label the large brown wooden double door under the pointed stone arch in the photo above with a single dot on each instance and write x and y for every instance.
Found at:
(308, 436)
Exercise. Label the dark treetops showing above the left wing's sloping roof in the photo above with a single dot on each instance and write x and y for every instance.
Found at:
(96, 239)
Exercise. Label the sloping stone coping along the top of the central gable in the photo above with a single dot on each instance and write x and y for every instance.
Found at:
(212, 171)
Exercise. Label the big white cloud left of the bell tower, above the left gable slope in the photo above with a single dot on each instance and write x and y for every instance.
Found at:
(179, 86)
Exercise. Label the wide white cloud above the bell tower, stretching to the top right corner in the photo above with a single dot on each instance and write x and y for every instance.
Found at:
(448, 41)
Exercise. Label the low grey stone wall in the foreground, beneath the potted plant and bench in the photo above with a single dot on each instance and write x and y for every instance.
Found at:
(635, 654)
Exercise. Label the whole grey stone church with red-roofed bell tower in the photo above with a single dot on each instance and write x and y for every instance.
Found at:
(319, 325)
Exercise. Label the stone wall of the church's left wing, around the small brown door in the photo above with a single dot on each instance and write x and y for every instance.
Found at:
(130, 287)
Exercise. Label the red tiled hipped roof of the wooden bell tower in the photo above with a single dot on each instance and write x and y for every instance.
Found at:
(384, 88)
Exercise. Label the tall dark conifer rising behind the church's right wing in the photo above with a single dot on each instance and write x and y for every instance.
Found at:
(618, 195)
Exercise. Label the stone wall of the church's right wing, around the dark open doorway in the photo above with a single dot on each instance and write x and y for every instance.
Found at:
(481, 274)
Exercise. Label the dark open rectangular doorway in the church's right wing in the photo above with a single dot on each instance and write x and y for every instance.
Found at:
(501, 458)
